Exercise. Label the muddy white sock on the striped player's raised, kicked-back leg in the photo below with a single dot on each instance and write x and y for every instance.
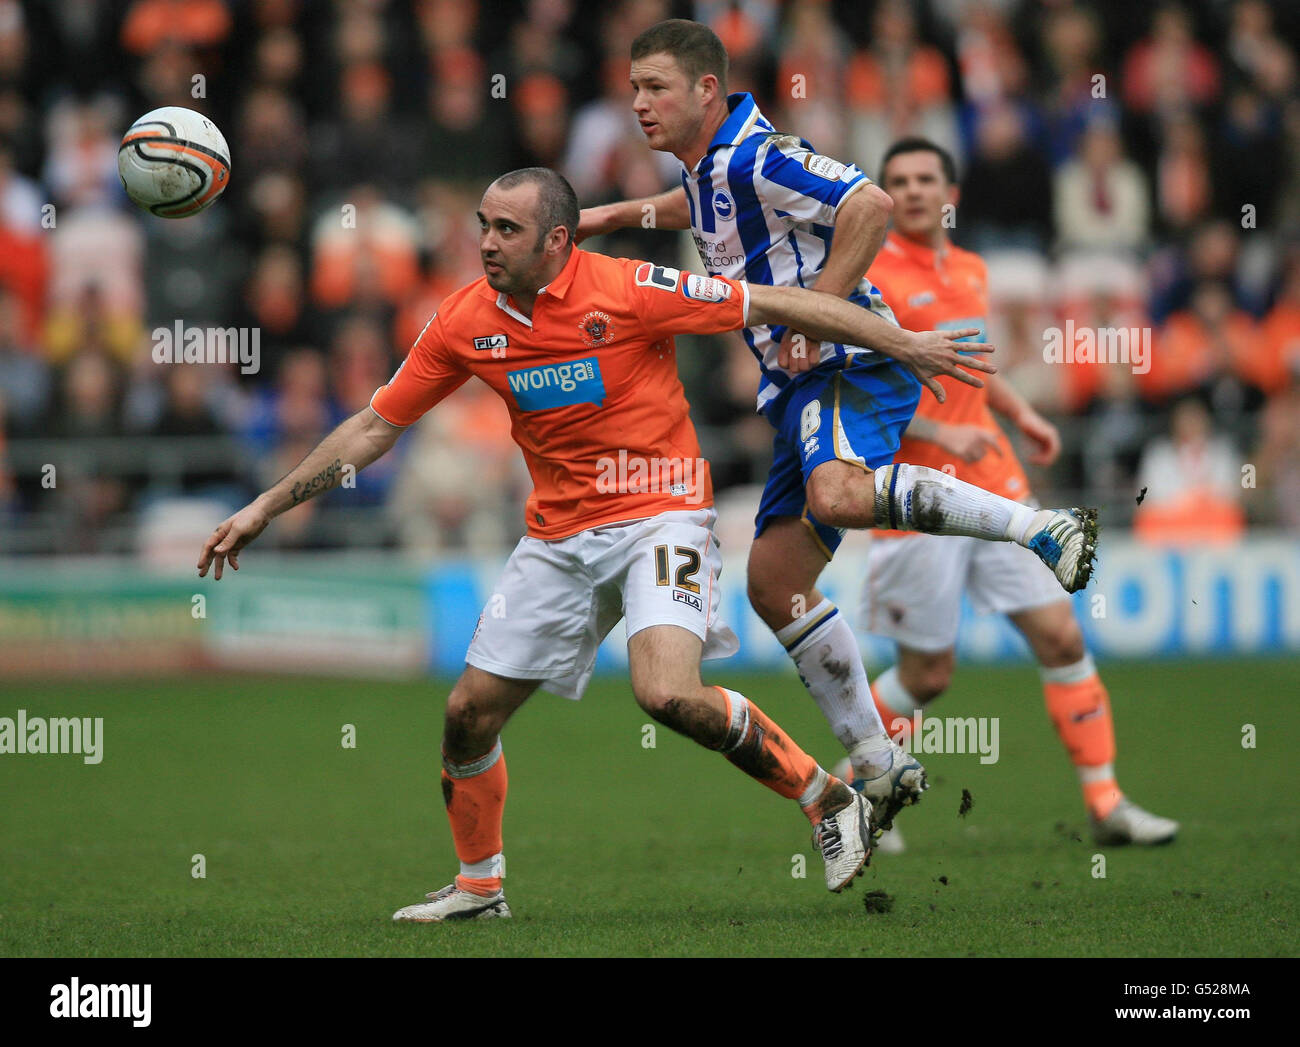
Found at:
(926, 500)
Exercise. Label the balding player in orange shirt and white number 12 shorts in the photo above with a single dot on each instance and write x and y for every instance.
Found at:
(580, 349)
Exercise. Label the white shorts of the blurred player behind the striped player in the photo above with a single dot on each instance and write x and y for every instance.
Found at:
(913, 590)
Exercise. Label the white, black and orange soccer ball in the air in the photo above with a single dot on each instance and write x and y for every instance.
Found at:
(174, 162)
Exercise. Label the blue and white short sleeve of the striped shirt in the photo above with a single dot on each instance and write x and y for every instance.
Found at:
(804, 184)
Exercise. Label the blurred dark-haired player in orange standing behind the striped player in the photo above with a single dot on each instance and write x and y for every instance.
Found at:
(916, 583)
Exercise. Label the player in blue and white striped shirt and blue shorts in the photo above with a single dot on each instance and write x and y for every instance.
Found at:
(766, 209)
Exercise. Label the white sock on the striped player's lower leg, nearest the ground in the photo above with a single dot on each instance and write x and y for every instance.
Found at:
(827, 657)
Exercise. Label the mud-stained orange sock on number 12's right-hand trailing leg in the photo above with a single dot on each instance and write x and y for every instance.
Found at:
(766, 754)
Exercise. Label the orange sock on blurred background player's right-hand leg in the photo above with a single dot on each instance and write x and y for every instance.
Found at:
(1080, 708)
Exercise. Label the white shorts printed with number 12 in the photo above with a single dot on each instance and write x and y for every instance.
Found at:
(558, 600)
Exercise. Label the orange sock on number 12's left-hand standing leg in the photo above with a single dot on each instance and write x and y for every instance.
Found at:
(475, 795)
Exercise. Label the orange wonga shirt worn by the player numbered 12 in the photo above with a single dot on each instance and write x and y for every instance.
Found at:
(591, 382)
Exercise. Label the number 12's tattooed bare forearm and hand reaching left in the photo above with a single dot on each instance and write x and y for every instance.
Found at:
(358, 442)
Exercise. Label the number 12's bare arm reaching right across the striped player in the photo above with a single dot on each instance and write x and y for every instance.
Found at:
(928, 354)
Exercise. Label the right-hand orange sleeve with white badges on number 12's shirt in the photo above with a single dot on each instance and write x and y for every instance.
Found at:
(671, 302)
